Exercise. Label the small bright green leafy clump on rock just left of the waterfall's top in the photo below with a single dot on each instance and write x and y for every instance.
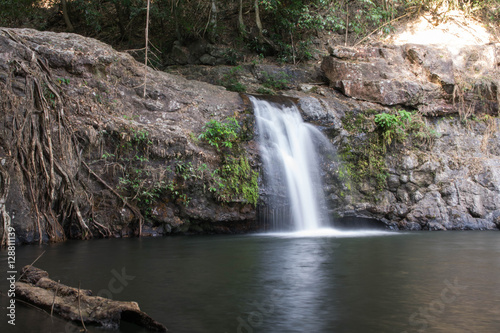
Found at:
(221, 134)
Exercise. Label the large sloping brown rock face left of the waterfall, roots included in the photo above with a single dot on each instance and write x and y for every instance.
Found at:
(109, 161)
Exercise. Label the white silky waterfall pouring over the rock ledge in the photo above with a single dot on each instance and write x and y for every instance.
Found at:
(288, 148)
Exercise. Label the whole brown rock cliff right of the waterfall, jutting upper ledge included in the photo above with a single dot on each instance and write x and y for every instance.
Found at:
(451, 184)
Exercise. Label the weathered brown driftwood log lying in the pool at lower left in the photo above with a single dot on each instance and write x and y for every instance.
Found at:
(78, 305)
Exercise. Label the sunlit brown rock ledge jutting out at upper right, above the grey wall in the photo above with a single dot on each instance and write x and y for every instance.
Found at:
(436, 80)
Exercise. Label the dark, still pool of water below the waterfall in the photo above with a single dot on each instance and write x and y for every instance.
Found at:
(411, 282)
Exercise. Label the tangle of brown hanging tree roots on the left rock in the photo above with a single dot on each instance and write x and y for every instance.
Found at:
(40, 143)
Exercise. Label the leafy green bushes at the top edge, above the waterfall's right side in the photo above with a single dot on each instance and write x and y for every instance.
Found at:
(297, 22)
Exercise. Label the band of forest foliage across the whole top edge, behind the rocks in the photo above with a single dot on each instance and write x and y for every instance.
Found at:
(290, 25)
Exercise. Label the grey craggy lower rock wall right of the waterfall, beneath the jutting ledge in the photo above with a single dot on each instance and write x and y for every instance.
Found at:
(451, 184)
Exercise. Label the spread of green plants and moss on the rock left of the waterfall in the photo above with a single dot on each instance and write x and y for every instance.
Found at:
(143, 182)
